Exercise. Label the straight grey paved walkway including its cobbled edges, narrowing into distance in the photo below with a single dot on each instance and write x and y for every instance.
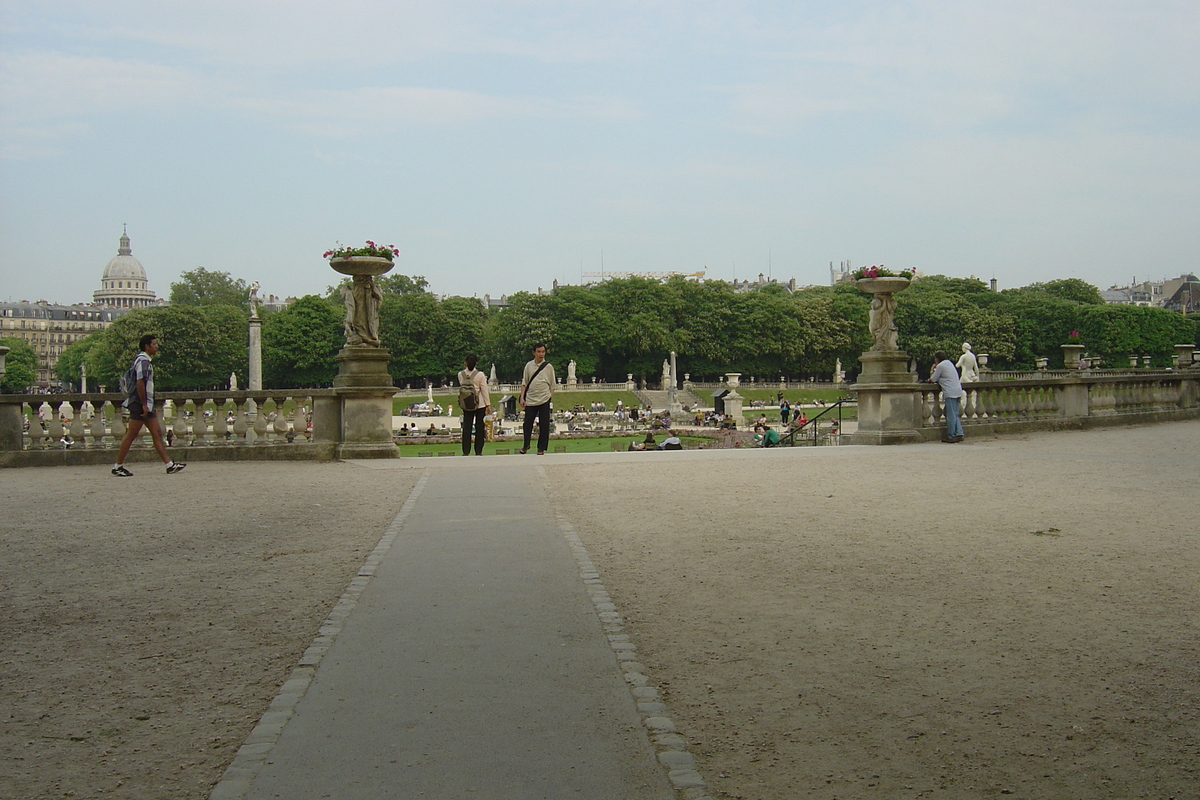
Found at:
(476, 657)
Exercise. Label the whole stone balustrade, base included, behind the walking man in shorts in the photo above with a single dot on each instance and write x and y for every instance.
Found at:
(266, 424)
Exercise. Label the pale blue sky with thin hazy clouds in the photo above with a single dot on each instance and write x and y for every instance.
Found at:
(505, 146)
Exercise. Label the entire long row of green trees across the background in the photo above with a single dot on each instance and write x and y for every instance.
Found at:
(621, 327)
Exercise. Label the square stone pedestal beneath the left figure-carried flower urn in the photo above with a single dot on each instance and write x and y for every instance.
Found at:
(365, 390)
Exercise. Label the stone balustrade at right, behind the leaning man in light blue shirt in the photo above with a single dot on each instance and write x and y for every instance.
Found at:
(1048, 401)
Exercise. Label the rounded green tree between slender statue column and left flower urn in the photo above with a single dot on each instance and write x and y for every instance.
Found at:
(301, 344)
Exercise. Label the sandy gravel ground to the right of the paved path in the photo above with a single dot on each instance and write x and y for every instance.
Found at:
(1012, 617)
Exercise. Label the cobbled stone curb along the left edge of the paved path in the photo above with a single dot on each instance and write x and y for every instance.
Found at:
(237, 780)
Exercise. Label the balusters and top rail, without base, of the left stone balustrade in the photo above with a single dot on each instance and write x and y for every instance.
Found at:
(217, 419)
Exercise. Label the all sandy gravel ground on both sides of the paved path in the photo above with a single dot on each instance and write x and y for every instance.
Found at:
(1012, 617)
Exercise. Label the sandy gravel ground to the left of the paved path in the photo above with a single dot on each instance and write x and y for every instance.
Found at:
(148, 622)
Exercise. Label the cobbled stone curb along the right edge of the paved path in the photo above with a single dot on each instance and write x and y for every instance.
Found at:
(671, 749)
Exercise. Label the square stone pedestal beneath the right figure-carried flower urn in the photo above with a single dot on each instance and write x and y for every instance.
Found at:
(889, 401)
